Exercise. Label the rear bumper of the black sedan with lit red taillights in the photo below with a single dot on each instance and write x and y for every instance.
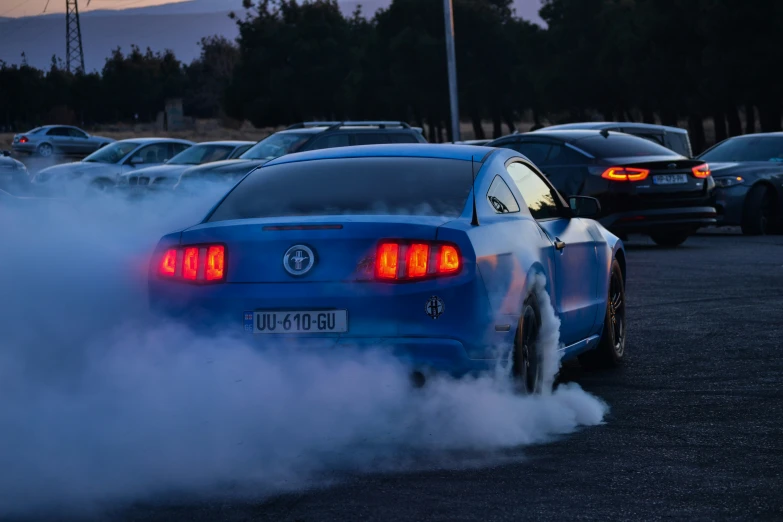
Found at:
(650, 220)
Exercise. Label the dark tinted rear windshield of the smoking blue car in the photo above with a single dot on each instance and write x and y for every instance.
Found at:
(411, 186)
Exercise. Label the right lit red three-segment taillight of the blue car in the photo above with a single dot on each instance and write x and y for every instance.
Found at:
(420, 260)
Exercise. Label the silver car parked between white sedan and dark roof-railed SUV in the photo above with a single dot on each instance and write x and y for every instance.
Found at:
(167, 175)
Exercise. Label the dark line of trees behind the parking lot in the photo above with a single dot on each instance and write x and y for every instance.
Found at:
(663, 61)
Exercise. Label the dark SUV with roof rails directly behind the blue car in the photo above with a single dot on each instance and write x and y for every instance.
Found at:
(299, 138)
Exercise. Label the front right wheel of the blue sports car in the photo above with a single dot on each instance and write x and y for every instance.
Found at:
(610, 351)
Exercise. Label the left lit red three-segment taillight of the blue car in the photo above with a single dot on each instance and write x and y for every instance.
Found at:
(196, 263)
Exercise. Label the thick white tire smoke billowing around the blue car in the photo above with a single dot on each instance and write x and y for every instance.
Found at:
(103, 404)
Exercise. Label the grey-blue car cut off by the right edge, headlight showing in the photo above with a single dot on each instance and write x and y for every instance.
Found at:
(748, 172)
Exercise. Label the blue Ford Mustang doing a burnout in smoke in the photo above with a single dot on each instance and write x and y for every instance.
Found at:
(430, 251)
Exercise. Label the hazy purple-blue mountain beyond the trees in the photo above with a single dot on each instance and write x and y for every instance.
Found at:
(178, 27)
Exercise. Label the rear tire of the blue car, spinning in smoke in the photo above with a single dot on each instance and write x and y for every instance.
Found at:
(527, 371)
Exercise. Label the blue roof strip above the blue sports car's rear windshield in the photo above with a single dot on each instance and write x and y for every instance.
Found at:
(397, 150)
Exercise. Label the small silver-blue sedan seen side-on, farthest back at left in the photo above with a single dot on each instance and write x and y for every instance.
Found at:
(58, 139)
